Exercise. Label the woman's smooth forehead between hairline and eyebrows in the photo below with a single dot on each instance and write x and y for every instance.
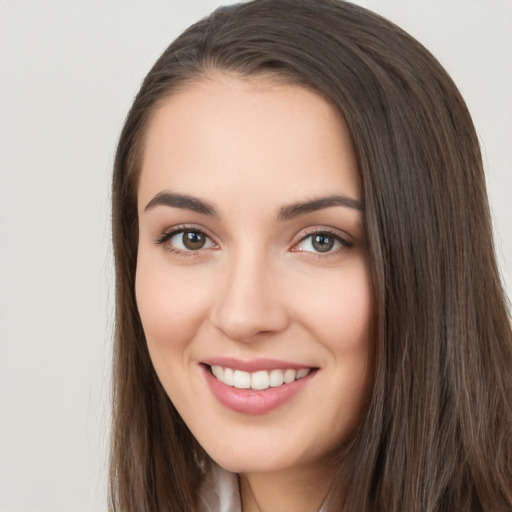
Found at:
(230, 134)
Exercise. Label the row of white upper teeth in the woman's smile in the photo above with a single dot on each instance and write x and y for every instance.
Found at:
(259, 380)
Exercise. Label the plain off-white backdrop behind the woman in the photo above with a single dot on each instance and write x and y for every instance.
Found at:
(69, 70)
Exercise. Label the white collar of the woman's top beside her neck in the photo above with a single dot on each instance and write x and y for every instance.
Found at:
(220, 492)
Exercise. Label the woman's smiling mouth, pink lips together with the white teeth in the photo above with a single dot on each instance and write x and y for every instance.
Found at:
(255, 387)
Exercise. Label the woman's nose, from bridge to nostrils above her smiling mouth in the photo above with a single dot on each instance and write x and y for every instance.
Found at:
(250, 303)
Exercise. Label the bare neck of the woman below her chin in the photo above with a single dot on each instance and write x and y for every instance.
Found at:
(300, 490)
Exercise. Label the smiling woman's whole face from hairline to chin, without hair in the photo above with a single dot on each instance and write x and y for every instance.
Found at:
(252, 280)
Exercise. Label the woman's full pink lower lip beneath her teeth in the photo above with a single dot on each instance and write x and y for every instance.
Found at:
(249, 401)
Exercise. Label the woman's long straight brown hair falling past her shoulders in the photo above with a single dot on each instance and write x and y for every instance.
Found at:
(438, 432)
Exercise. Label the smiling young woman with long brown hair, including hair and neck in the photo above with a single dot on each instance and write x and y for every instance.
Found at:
(309, 314)
